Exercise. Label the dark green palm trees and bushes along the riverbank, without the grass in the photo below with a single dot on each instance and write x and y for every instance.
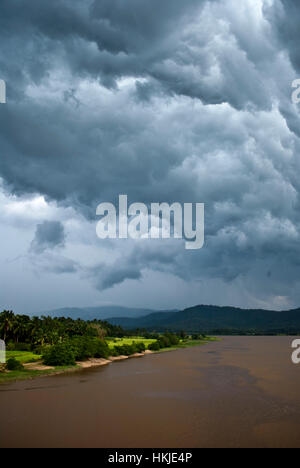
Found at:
(64, 341)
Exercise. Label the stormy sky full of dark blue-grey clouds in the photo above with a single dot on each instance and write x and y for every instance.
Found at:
(165, 101)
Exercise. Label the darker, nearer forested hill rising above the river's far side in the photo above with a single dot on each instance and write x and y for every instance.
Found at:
(216, 319)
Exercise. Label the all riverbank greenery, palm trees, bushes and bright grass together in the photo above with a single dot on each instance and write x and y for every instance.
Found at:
(62, 342)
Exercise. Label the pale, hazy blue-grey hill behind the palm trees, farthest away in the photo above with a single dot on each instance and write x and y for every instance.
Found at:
(98, 313)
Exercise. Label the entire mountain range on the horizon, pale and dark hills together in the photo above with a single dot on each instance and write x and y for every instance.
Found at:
(201, 318)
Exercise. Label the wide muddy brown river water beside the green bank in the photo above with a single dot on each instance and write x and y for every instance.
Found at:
(243, 391)
